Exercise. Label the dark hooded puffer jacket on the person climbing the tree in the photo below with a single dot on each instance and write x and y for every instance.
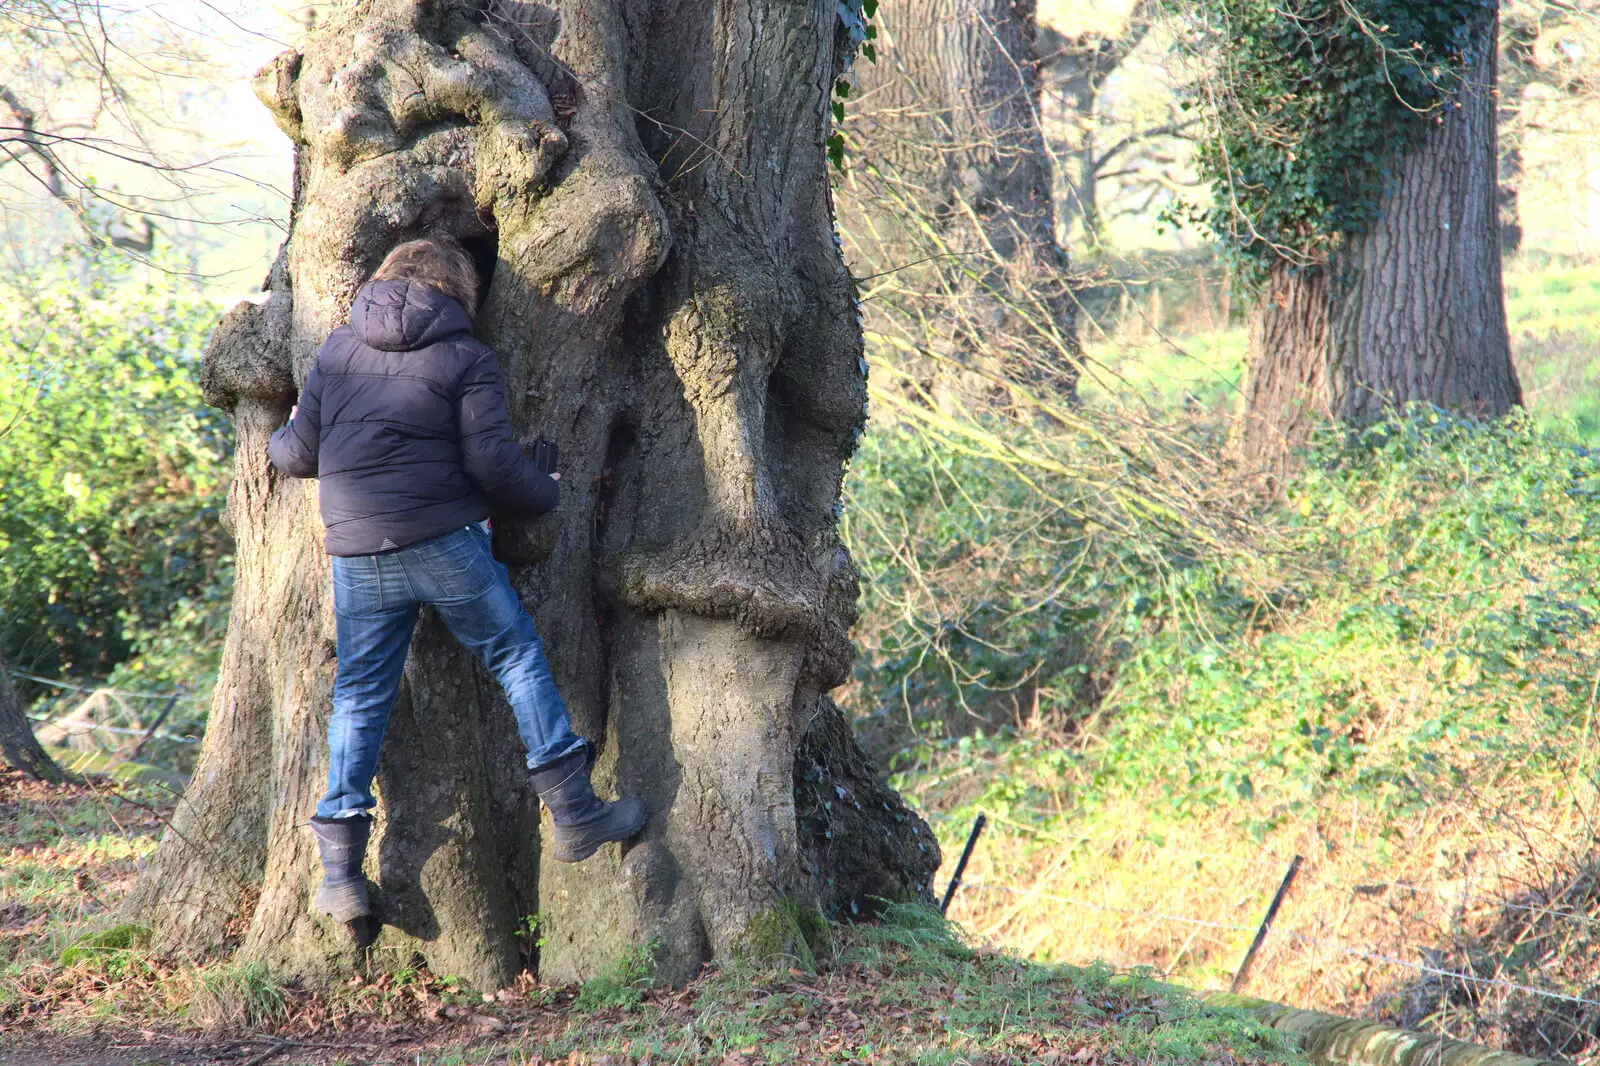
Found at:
(404, 420)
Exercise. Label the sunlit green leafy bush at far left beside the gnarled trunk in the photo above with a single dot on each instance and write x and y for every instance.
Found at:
(113, 473)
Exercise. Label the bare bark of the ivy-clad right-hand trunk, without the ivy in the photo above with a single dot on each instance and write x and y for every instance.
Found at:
(1412, 311)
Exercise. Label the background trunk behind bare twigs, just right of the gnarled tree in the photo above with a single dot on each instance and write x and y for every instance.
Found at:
(951, 190)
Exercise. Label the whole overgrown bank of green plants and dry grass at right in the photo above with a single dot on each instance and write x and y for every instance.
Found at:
(1394, 678)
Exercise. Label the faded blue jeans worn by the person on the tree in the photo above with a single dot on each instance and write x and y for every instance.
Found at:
(375, 601)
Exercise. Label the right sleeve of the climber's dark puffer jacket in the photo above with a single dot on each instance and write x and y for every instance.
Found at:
(490, 449)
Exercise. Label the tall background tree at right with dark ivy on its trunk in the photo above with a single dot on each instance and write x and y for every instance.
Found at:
(1367, 188)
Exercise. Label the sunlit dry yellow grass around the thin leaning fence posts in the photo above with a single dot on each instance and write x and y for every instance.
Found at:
(1372, 889)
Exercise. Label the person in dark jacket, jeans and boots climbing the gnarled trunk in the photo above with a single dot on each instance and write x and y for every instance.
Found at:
(404, 422)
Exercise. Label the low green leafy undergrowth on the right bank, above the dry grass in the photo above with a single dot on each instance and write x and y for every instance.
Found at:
(1428, 614)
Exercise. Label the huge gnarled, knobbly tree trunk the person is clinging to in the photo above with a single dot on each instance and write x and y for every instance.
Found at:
(647, 182)
